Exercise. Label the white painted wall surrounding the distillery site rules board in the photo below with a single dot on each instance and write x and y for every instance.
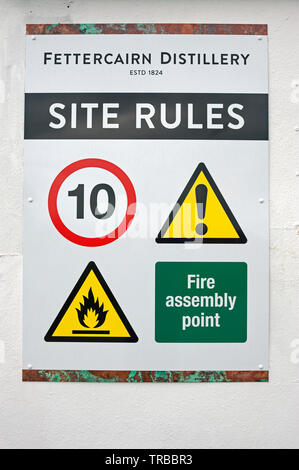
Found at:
(43, 415)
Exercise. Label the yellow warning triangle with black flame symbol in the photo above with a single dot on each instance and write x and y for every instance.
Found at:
(91, 313)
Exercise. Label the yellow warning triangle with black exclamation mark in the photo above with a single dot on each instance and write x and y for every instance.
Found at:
(201, 214)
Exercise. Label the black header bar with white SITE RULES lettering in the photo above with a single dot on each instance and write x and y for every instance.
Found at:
(197, 116)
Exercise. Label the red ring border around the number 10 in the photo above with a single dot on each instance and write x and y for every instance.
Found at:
(87, 163)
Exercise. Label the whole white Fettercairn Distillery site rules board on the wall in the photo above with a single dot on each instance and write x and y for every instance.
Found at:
(146, 200)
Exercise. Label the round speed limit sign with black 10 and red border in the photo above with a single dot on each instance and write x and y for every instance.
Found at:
(92, 202)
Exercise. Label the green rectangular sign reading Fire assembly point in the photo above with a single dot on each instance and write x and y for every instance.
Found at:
(201, 302)
